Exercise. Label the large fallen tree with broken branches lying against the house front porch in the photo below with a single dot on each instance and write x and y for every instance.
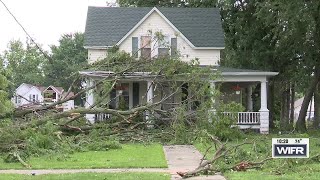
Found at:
(46, 127)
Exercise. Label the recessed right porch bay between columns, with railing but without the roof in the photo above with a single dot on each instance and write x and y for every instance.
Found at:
(246, 94)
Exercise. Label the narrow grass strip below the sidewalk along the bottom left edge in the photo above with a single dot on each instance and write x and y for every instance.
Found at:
(91, 176)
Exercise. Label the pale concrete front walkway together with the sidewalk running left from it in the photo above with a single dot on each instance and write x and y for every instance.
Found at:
(180, 158)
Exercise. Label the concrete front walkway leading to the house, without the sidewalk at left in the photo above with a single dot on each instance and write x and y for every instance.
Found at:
(182, 158)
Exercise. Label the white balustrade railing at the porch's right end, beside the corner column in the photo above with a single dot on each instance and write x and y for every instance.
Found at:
(244, 117)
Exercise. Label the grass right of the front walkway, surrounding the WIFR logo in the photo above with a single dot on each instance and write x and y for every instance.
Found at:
(277, 169)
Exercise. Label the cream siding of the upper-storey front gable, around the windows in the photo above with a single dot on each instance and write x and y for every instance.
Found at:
(156, 23)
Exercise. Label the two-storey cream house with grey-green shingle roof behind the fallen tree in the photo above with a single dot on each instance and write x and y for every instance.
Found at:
(193, 32)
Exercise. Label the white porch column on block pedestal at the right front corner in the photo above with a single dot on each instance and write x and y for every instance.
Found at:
(264, 112)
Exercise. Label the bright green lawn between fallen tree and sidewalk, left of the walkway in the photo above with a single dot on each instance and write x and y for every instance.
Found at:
(130, 156)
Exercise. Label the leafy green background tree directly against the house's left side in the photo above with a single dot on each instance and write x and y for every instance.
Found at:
(67, 59)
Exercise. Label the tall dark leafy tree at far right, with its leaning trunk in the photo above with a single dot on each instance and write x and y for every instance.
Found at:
(298, 38)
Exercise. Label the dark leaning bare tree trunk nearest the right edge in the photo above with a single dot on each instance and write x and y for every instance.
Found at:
(301, 122)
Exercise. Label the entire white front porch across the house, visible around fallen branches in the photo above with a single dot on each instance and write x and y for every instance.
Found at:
(246, 87)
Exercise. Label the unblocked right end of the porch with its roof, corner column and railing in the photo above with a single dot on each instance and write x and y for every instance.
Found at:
(249, 88)
